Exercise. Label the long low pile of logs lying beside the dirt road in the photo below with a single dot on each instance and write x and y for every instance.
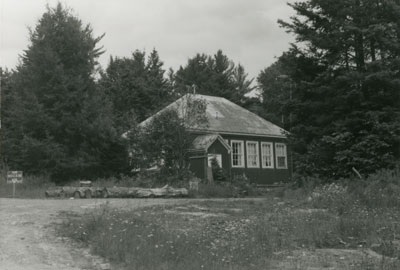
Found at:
(115, 192)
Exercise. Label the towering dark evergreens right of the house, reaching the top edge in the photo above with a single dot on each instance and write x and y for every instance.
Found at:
(346, 109)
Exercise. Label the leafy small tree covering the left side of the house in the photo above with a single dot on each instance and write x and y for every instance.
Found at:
(164, 140)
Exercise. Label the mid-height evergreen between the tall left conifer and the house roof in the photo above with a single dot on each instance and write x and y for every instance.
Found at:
(136, 87)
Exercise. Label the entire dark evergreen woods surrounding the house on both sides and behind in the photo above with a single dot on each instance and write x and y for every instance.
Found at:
(336, 90)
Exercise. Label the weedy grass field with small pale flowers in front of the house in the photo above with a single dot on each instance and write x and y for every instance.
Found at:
(329, 227)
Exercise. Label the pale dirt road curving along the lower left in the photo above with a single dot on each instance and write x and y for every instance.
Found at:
(28, 242)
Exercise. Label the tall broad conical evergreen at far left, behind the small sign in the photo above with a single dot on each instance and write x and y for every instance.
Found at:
(59, 121)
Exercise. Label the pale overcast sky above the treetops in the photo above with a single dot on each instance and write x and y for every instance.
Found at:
(246, 30)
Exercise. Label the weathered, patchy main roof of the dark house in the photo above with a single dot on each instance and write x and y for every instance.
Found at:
(226, 117)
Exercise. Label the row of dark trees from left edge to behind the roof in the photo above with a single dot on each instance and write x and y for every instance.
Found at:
(58, 118)
